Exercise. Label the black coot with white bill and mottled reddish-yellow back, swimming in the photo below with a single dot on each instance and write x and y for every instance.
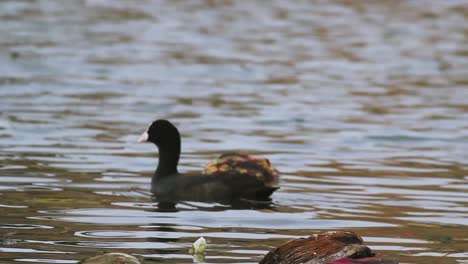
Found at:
(230, 177)
